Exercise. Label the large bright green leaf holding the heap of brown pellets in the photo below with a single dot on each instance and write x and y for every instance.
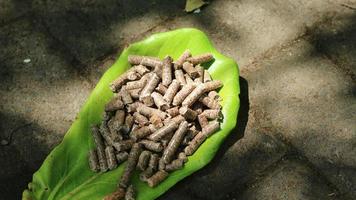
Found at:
(65, 173)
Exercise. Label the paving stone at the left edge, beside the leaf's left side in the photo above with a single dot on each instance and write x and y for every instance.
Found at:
(40, 95)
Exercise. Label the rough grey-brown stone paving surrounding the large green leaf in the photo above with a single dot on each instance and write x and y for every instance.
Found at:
(297, 95)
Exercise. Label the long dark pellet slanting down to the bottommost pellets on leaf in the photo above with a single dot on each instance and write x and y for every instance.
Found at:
(131, 164)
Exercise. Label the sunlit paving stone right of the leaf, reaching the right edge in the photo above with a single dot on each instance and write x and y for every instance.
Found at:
(310, 101)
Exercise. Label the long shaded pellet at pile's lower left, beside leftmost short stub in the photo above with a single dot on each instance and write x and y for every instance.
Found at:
(100, 148)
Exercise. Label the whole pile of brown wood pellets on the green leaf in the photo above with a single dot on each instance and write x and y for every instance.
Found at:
(161, 112)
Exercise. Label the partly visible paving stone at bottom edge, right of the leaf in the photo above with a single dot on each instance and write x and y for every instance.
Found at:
(289, 179)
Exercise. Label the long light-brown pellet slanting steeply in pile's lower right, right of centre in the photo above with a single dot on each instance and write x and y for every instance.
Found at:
(174, 143)
